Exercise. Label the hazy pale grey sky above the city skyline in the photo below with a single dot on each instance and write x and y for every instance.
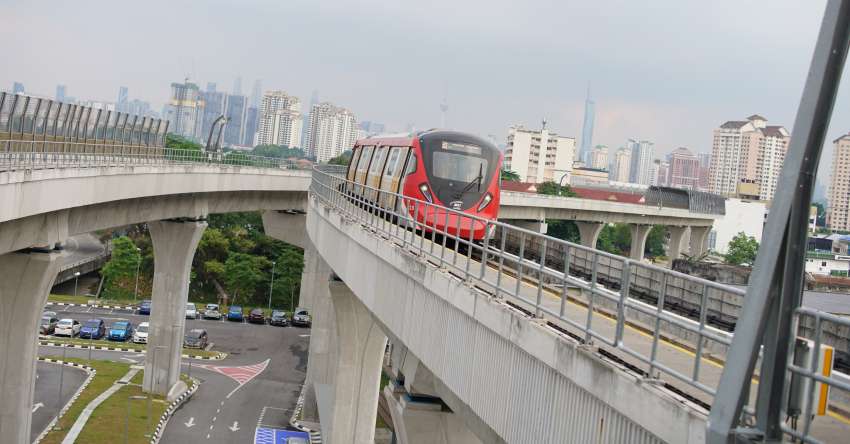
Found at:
(669, 71)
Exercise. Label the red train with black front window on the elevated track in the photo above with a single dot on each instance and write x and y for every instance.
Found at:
(445, 168)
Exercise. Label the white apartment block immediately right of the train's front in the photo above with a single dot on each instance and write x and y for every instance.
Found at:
(539, 156)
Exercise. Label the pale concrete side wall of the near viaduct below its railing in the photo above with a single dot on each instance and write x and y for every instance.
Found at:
(526, 381)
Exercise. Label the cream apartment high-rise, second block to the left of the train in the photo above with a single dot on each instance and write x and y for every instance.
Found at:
(280, 120)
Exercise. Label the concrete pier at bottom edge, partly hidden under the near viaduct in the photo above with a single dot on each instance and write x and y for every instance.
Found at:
(424, 420)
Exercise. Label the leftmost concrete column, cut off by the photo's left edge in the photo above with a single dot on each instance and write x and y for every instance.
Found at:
(25, 281)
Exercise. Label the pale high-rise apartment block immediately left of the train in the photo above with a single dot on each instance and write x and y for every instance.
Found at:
(331, 131)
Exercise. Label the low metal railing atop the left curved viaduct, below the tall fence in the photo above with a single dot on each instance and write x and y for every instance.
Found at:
(34, 155)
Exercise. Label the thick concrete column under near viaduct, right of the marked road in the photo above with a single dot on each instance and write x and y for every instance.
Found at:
(360, 350)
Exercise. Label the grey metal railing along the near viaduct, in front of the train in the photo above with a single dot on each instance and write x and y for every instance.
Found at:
(543, 286)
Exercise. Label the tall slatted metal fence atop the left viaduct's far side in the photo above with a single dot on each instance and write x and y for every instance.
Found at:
(23, 117)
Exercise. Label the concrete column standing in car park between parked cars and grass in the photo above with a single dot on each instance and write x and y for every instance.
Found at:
(174, 245)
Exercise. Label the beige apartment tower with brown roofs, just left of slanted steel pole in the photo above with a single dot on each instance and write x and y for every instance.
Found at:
(747, 151)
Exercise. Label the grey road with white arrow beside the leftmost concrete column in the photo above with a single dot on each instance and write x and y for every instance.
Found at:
(45, 406)
